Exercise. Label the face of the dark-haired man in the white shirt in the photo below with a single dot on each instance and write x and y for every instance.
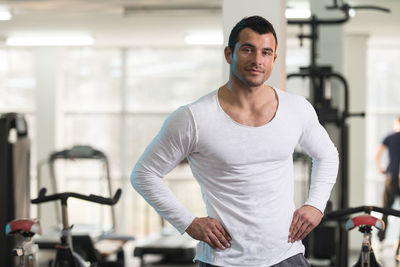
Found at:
(253, 58)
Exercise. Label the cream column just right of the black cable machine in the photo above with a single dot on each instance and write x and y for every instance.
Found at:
(355, 70)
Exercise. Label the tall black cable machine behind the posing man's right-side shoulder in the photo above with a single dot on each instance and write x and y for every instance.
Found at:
(321, 77)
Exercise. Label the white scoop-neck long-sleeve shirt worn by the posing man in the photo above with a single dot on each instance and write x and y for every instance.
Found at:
(245, 174)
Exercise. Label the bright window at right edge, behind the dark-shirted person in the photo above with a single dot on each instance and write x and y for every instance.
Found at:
(383, 107)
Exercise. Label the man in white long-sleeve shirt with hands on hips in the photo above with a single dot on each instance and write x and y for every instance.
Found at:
(239, 142)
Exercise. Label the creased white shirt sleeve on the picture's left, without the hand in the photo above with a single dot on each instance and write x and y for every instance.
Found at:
(173, 143)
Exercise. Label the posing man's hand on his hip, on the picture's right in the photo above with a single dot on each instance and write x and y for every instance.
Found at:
(304, 220)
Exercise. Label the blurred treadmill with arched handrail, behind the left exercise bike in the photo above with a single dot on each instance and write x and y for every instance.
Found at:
(87, 239)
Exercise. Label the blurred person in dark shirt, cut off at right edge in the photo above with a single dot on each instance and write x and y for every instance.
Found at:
(391, 143)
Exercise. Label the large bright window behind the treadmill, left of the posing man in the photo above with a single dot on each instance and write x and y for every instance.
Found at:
(116, 101)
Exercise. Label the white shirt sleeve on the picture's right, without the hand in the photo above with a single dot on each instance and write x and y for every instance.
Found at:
(325, 161)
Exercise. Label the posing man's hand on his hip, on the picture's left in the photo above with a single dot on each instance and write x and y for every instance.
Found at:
(210, 231)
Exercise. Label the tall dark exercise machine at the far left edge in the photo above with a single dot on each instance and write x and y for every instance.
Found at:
(14, 179)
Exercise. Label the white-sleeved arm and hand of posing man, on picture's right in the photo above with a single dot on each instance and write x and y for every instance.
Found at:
(316, 142)
